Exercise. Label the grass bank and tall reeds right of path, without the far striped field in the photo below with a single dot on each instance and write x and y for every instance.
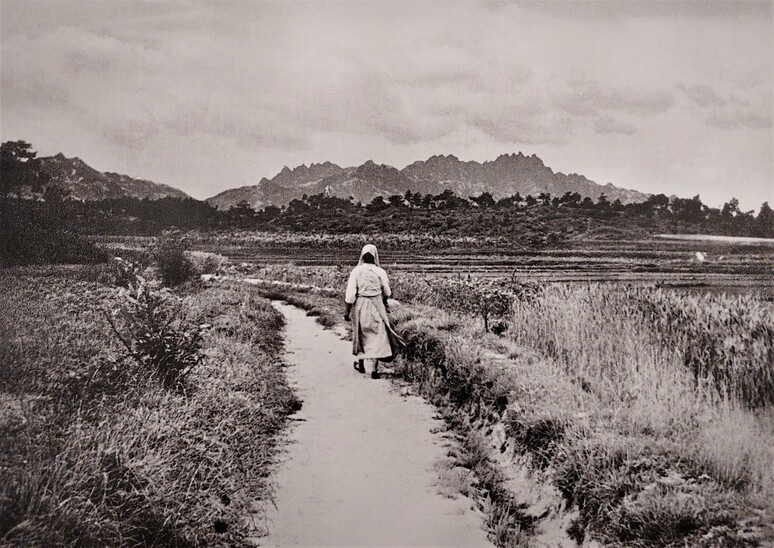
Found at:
(650, 411)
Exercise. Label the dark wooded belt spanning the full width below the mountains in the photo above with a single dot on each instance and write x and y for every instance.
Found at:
(33, 229)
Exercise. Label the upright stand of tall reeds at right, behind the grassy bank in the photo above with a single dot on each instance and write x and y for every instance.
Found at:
(634, 337)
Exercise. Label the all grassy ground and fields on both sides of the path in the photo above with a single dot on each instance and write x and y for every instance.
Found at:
(633, 382)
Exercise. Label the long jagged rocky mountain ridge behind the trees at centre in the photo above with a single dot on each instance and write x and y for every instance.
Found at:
(505, 176)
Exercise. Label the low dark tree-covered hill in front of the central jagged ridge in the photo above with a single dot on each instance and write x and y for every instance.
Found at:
(480, 214)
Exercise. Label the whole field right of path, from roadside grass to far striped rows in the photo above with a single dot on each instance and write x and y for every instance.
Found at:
(645, 397)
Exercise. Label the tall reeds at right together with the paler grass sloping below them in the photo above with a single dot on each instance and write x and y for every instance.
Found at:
(694, 369)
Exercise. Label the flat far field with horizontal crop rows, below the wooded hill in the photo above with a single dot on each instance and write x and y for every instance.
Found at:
(721, 266)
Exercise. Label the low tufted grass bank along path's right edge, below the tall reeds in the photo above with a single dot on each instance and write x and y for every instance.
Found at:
(633, 486)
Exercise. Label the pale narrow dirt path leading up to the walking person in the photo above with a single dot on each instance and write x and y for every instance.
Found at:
(359, 466)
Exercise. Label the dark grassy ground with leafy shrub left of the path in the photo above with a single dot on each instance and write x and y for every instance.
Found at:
(98, 448)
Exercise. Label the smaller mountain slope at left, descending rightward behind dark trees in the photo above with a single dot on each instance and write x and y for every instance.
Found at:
(82, 182)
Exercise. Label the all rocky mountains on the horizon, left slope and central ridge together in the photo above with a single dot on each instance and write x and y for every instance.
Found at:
(505, 176)
